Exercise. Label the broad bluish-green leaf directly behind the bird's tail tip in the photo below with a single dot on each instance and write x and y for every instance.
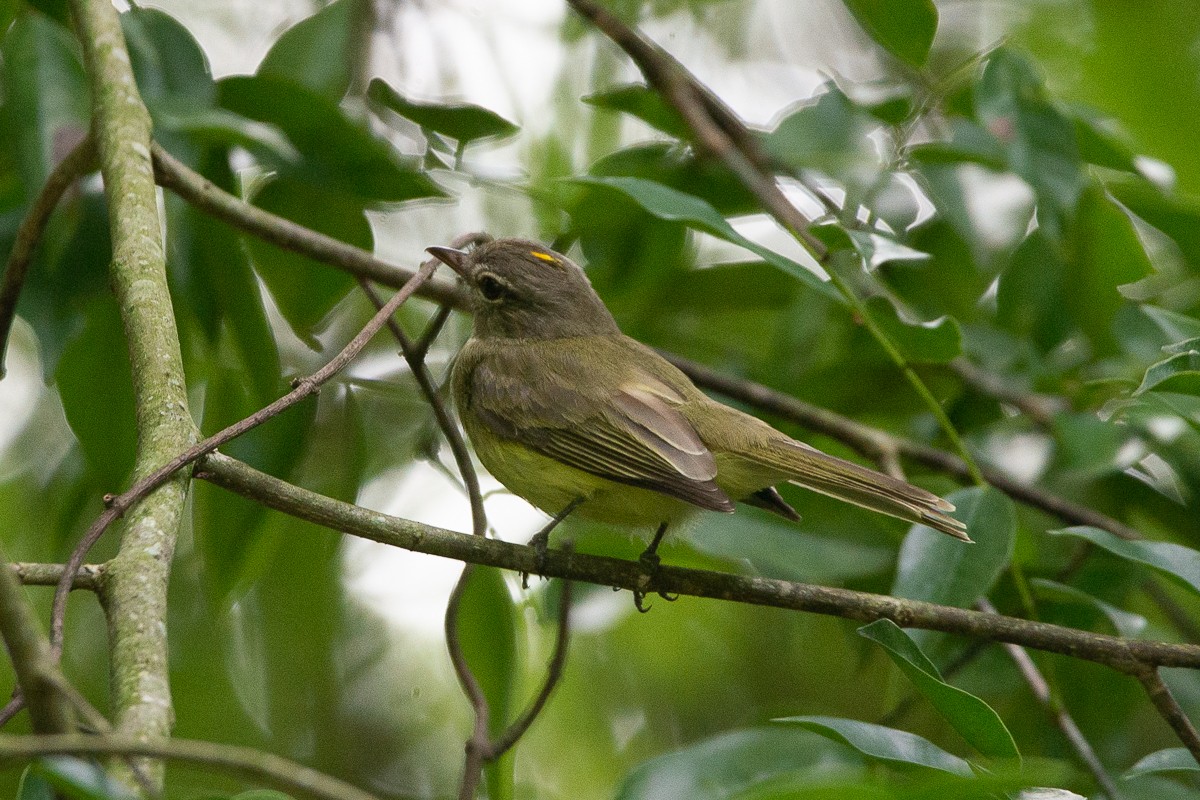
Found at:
(943, 570)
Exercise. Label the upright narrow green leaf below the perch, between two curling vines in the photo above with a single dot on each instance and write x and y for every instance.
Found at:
(488, 634)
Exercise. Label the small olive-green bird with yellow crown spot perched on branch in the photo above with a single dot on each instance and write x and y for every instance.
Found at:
(573, 416)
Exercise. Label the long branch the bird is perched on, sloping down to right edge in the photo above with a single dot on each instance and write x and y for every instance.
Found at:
(1125, 655)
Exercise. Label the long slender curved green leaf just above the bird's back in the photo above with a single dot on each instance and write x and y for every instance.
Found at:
(667, 203)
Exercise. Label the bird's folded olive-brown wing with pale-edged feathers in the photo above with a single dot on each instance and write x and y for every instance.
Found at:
(628, 434)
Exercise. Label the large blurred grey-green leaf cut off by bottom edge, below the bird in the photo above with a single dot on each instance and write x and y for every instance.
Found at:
(728, 765)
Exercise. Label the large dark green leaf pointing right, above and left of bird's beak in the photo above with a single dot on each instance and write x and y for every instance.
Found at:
(338, 153)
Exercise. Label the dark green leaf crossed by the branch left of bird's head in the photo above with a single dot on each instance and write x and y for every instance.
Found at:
(304, 290)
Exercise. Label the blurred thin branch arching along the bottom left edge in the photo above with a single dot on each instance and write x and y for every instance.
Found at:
(277, 771)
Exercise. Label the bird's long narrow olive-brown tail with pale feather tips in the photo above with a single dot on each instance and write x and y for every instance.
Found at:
(848, 482)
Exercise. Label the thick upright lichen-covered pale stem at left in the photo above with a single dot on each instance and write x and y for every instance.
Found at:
(137, 579)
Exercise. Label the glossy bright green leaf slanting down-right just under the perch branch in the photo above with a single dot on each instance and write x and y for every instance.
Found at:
(975, 720)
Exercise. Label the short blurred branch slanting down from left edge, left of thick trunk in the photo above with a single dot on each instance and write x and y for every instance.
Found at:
(33, 659)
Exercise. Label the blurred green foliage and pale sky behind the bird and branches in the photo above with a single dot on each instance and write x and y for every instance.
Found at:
(286, 639)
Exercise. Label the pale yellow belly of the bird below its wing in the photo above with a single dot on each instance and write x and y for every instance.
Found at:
(553, 486)
